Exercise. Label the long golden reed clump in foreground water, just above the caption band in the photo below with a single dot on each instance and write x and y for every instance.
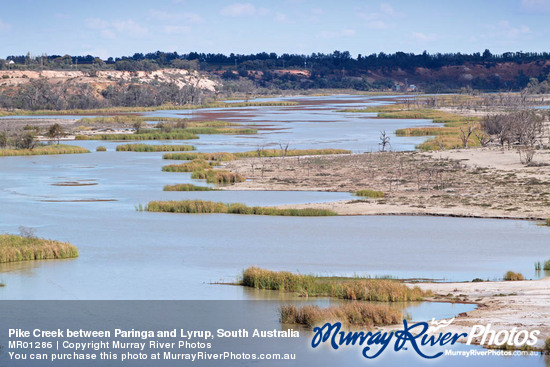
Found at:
(363, 289)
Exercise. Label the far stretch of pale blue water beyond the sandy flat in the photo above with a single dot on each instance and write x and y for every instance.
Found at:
(314, 124)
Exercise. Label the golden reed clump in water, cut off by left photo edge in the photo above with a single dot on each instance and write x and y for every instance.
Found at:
(22, 248)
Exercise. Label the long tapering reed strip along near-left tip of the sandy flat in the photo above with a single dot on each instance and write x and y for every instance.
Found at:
(211, 207)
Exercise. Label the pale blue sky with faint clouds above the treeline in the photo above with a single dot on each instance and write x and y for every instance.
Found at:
(121, 28)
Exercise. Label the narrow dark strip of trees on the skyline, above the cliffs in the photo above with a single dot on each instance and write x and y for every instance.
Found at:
(272, 60)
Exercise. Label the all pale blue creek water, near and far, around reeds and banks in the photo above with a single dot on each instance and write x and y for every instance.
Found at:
(131, 255)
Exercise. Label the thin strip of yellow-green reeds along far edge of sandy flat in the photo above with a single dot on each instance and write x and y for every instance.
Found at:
(224, 156)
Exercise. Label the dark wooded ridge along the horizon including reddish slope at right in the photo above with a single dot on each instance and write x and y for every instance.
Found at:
(338, 69)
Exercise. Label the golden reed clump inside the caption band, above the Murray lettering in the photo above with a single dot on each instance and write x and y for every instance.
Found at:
(351, 314)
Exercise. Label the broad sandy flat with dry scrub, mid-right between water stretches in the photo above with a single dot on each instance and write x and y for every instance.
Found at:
(480, 183)
